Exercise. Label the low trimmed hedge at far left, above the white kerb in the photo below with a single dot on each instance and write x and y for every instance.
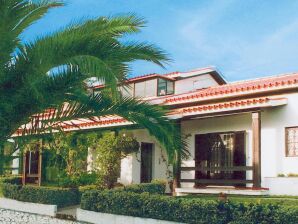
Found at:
(61, 197)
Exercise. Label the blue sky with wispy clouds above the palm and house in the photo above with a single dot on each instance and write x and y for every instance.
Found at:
(244, 39)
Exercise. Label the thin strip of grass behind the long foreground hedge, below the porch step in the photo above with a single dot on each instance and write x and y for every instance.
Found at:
(278, 200)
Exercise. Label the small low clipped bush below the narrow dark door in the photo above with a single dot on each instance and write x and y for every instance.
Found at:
(155, 187)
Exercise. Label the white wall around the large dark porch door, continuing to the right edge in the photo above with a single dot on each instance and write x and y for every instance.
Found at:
(273, 123)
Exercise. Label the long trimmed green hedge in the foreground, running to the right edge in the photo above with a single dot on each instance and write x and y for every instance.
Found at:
(195, 211)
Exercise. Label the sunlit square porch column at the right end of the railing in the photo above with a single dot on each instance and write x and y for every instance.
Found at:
(256, 148)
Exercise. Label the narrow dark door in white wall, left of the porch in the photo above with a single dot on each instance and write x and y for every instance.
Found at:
(146, 162)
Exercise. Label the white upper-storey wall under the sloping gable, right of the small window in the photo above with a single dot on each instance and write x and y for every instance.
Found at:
(196, 82)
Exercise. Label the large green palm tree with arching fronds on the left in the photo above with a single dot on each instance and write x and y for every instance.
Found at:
(51, 70)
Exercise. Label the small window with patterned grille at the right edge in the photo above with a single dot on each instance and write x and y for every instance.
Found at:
(292, 141)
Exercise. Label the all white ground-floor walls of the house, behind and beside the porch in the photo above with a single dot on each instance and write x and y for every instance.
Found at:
(273, 157)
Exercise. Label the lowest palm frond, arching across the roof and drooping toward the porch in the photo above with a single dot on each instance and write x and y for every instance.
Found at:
(147, 116)
